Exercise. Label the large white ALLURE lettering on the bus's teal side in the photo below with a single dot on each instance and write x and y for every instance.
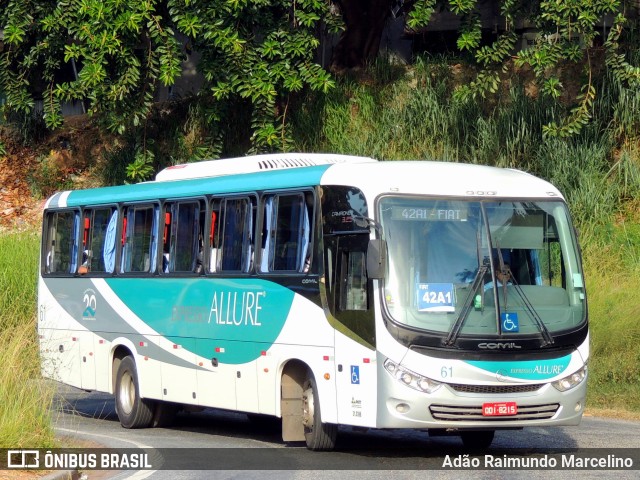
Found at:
(236, 308)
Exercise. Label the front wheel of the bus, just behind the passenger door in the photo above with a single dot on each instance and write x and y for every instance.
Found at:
(318, 435)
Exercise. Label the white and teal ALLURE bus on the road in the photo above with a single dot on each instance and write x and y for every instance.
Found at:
(322, 290)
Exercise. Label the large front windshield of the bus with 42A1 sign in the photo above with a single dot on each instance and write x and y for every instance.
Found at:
(452, 261)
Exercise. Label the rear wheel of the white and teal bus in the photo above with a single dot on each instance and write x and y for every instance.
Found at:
(133, 411)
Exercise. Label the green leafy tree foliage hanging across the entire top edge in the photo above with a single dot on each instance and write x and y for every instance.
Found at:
(257, 53)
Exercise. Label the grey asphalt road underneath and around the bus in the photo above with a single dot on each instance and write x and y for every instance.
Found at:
(215, 438)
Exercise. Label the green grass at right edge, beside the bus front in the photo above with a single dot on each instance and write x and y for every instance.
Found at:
(613, 271)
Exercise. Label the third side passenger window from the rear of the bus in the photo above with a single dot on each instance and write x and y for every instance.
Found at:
(138, 254)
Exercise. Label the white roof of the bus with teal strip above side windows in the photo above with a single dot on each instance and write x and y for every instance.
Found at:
(271, 172)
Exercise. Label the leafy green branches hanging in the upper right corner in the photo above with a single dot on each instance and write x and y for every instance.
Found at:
(567, 33)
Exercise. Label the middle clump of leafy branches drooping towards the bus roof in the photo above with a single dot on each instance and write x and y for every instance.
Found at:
(259, 51)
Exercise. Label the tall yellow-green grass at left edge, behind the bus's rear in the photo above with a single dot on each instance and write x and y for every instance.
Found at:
(25, 415)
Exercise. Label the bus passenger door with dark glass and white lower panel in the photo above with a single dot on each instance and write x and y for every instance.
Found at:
(351, 304)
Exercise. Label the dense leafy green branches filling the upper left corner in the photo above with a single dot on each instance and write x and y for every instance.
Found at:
(120, 50)
